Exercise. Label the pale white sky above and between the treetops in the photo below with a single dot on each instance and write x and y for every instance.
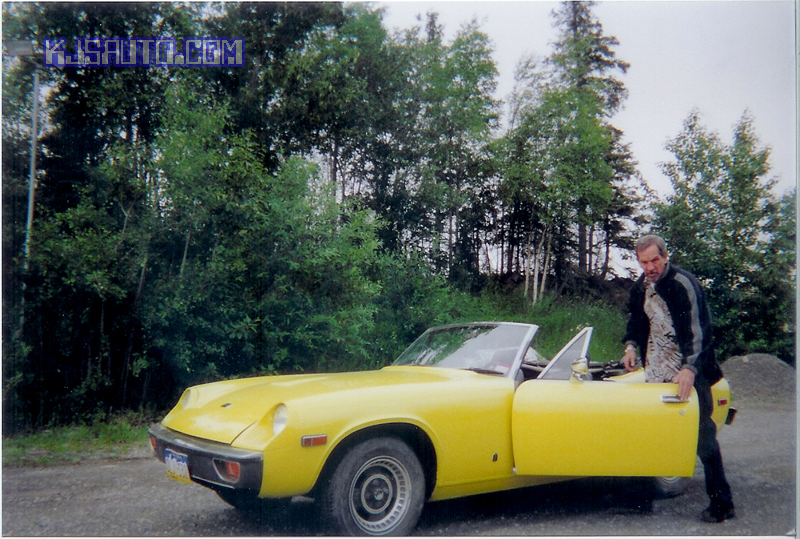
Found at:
(722, 58)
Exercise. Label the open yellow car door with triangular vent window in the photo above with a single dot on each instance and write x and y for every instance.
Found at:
(566, 425)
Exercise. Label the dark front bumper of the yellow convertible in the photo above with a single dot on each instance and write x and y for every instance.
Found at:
(206, 460)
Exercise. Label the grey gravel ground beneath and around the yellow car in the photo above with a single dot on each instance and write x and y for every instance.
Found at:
(134, 497)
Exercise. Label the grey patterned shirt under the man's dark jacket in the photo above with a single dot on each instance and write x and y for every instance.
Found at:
(664, 358)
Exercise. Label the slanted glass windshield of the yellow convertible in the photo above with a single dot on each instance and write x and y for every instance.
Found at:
(488, 347)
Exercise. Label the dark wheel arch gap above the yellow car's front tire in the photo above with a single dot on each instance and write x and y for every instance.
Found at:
(415, 437)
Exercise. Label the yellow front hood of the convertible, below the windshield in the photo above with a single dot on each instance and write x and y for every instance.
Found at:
(222, 410)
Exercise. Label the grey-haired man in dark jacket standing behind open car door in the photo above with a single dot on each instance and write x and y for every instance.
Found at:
(670, 323)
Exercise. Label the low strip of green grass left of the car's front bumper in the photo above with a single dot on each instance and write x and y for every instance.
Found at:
(119, 437)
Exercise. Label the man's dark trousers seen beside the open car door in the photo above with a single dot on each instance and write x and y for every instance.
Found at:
(708, 450)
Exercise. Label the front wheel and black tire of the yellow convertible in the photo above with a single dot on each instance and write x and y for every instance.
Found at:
(378, 488)
